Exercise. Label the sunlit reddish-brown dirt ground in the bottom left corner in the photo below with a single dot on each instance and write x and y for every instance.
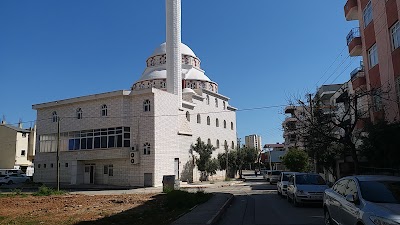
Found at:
(70, 208)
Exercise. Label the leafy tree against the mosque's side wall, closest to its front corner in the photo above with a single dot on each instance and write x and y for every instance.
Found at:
(203, 161)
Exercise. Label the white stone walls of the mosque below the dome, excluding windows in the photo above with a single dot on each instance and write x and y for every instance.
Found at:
(164, 127)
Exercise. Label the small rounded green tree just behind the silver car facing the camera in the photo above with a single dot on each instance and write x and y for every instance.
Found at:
(296, 160)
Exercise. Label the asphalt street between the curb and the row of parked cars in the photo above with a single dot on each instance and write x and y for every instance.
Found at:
(256, 202)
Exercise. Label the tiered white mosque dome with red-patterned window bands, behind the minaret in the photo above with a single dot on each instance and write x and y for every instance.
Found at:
(155, 74)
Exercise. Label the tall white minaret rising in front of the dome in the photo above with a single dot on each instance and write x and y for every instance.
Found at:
(173, 48)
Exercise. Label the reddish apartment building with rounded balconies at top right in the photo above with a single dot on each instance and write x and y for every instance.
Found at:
(377, 40)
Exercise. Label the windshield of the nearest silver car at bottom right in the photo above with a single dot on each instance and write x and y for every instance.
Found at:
(381, 191)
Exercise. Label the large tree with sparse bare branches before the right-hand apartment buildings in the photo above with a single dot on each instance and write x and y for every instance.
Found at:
(330, 130)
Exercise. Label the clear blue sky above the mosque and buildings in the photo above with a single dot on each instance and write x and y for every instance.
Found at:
(261, 53)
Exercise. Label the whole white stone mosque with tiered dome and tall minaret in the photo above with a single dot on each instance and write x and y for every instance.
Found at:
(135, 137)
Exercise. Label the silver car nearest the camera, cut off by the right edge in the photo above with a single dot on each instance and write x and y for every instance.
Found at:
(367, 200)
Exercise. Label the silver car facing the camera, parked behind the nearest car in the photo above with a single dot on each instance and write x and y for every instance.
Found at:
(306, 188)
